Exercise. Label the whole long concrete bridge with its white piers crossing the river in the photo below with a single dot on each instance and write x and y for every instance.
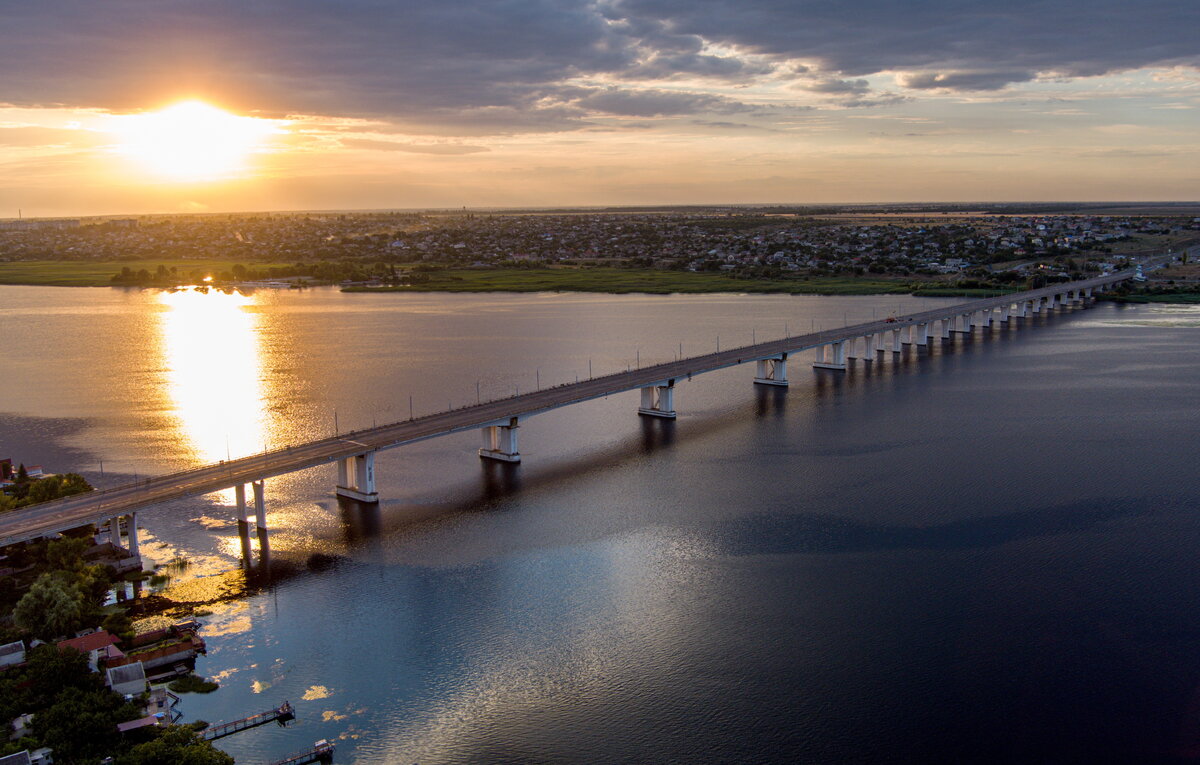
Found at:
(500, 420)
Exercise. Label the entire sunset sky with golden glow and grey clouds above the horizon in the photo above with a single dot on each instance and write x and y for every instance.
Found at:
(371, 105)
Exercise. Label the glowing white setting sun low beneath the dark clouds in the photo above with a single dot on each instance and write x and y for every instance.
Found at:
(194, 141)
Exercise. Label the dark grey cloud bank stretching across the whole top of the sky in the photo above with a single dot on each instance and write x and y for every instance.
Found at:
(475, 67)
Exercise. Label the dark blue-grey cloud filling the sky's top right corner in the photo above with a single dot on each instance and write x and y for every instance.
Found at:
(973, 44)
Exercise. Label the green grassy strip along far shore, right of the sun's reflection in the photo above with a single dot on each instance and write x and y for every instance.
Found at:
(626, 281)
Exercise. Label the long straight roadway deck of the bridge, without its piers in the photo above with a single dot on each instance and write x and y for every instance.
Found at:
(57, 516)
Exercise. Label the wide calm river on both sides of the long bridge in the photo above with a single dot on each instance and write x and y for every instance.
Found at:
(982, 552)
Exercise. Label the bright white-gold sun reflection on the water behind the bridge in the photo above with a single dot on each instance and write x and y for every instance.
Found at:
(213, 363)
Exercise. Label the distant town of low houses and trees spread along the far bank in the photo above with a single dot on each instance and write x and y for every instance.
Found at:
(993, 248)
